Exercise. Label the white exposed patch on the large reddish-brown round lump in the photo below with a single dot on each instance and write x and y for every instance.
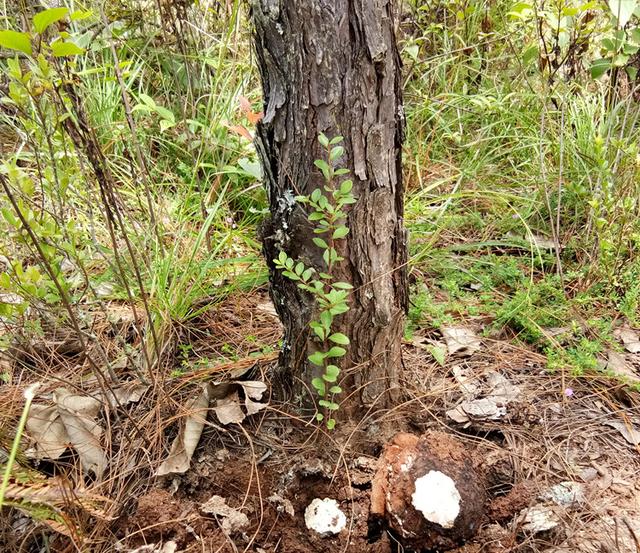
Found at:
(437, 498)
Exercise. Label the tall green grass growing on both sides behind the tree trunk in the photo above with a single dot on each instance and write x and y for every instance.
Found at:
(496, 160)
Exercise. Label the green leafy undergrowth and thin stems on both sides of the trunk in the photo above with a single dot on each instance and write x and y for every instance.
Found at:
(129, 177)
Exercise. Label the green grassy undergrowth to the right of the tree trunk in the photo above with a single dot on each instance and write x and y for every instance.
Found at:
(523, 167)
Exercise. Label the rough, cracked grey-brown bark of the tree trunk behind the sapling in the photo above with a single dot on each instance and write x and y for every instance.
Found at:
(333, 66)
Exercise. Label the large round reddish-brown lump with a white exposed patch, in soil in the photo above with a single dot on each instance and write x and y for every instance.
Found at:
(428, 492)
